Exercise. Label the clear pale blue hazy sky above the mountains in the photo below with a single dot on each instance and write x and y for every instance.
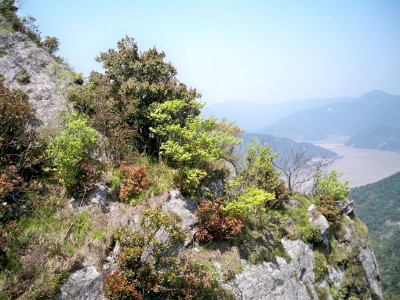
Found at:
(258, 51)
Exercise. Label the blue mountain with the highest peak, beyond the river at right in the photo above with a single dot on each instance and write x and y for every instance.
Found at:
(345, 119)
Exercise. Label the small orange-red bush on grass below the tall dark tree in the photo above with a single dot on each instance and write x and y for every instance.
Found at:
(134, 180)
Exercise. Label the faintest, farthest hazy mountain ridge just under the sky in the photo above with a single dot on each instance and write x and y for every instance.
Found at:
(261, 114)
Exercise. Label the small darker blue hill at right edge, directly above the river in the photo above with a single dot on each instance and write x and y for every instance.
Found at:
(378, 137)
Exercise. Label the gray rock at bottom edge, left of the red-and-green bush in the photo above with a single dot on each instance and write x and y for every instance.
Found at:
(85, 284)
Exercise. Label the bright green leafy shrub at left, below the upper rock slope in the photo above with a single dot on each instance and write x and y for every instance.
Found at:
(70, 151)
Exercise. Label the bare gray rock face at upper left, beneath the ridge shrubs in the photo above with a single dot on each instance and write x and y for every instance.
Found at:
(22, 56)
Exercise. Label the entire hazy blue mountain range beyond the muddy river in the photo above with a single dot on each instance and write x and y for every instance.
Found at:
(371, 121)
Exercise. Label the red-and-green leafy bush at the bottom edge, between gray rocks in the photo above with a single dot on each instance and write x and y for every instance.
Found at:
(148, 266)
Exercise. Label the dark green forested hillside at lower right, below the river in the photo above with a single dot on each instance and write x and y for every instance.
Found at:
(378, 205)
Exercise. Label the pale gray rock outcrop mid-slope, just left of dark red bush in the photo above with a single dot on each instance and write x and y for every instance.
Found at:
(184, 207)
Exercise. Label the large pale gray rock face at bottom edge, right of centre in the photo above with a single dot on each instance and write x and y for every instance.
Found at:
(280, 280)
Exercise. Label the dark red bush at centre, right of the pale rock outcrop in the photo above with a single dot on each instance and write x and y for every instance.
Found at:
(215, 223)
